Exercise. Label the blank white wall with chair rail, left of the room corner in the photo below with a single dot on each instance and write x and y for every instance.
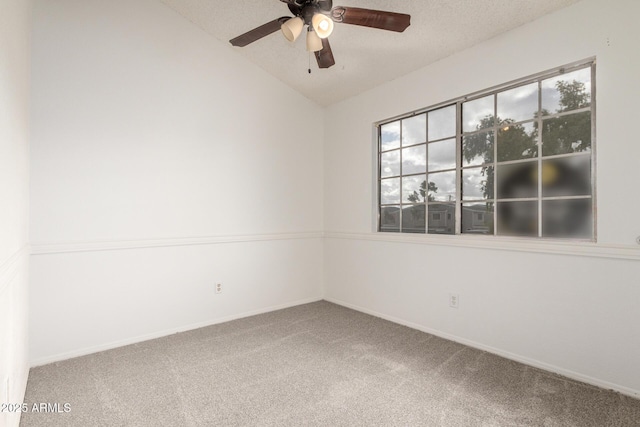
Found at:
(162, 162)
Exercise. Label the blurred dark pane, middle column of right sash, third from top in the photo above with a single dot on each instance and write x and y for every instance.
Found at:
(519, 180)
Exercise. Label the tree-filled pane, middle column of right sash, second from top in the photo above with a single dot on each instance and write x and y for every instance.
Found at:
(517, 142)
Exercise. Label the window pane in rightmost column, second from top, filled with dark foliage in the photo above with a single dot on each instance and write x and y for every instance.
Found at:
(567, 134)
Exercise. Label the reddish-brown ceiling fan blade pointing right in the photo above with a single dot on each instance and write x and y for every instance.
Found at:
(381, 19)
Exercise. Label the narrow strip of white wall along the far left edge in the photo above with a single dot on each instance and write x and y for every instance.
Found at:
(15, 30)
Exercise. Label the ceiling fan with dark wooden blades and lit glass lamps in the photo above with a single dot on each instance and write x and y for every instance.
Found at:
(319, 17)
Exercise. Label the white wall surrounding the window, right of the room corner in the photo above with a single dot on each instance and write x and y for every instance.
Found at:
(568, 308)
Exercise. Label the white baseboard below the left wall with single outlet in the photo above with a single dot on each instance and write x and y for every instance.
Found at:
(159, 334)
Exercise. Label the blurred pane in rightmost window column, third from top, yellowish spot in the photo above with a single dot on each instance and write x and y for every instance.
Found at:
(568, 176)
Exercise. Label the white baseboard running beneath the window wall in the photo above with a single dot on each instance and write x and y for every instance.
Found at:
(508, 355)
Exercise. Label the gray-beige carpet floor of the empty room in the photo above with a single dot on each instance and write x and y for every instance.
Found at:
(313, 365)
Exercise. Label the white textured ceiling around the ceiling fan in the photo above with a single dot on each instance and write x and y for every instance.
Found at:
(364, 57)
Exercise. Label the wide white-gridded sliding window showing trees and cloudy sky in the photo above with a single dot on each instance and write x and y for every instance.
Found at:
(513, 161)
